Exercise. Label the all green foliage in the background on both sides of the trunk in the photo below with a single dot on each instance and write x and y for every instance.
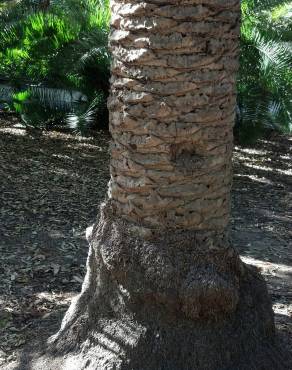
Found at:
(48, 48)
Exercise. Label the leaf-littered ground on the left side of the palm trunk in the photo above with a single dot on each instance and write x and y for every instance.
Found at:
(50, 189)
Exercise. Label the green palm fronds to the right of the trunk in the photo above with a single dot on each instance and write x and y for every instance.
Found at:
(265, 77)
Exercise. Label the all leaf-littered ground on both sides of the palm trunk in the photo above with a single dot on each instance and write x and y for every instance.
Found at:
(50, 188)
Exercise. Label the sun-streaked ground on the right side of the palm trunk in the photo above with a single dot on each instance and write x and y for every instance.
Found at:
(262, 220)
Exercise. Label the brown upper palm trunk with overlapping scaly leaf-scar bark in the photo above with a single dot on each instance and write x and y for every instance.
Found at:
(172, 111)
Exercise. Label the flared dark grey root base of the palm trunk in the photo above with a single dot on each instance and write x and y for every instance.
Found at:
(181, 301)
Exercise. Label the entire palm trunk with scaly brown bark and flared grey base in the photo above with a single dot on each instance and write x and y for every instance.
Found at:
(164, 288)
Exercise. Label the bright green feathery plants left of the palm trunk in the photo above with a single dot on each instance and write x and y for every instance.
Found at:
(56, 47)
